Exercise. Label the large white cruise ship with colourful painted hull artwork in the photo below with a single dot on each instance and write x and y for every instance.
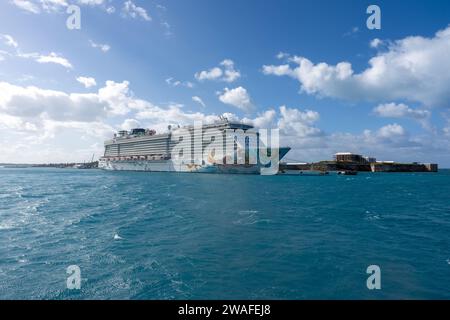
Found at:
(220, 147)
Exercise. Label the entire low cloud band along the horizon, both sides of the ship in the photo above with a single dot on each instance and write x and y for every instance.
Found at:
(51, 125)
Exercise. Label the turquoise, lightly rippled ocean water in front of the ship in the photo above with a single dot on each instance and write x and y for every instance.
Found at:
(201, 236)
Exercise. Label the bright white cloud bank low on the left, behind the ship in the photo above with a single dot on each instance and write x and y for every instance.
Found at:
(51, 126)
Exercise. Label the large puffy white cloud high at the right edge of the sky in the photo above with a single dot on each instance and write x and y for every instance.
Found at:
(415, 69)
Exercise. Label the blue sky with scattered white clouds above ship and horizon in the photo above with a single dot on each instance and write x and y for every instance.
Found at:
(305, 67)
